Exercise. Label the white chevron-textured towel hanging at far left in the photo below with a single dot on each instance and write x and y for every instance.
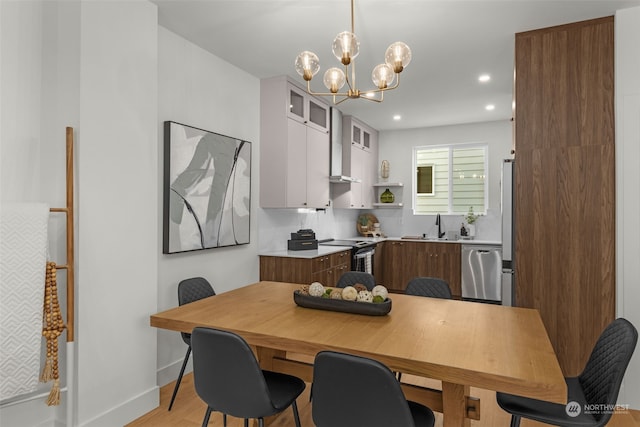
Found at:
(23, 252)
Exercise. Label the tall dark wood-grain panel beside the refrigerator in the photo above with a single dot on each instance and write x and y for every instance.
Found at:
(565, 189)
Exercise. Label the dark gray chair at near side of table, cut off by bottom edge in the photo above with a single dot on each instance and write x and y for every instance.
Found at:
(350, 391)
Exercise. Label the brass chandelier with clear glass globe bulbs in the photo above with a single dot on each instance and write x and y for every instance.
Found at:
(346, 48)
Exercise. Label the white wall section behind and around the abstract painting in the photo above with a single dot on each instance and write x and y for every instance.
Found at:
(198, 89)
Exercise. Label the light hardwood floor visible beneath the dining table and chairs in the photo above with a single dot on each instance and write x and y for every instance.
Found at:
(188, 411)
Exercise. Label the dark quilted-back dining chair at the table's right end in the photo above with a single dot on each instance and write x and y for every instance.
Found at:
(592, 395)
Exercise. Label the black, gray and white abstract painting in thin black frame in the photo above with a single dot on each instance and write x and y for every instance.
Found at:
(207, 189)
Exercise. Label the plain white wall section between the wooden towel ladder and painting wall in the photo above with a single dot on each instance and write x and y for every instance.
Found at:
(117, 211)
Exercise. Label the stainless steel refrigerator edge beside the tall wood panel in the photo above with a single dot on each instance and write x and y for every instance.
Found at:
(508, 233)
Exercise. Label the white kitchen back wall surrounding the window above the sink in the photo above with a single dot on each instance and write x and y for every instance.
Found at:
(397, 147)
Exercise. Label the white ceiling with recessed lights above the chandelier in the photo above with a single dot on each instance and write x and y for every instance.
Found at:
(452, 43)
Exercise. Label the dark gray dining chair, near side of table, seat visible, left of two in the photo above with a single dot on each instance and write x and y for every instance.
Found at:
(229, 379)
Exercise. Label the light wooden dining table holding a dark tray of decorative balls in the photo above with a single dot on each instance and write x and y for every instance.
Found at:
(463, 344)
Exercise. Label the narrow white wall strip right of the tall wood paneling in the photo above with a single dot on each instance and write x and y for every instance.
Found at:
(627, 35)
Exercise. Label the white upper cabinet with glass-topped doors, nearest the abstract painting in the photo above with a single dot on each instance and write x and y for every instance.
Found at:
(294, 147)
